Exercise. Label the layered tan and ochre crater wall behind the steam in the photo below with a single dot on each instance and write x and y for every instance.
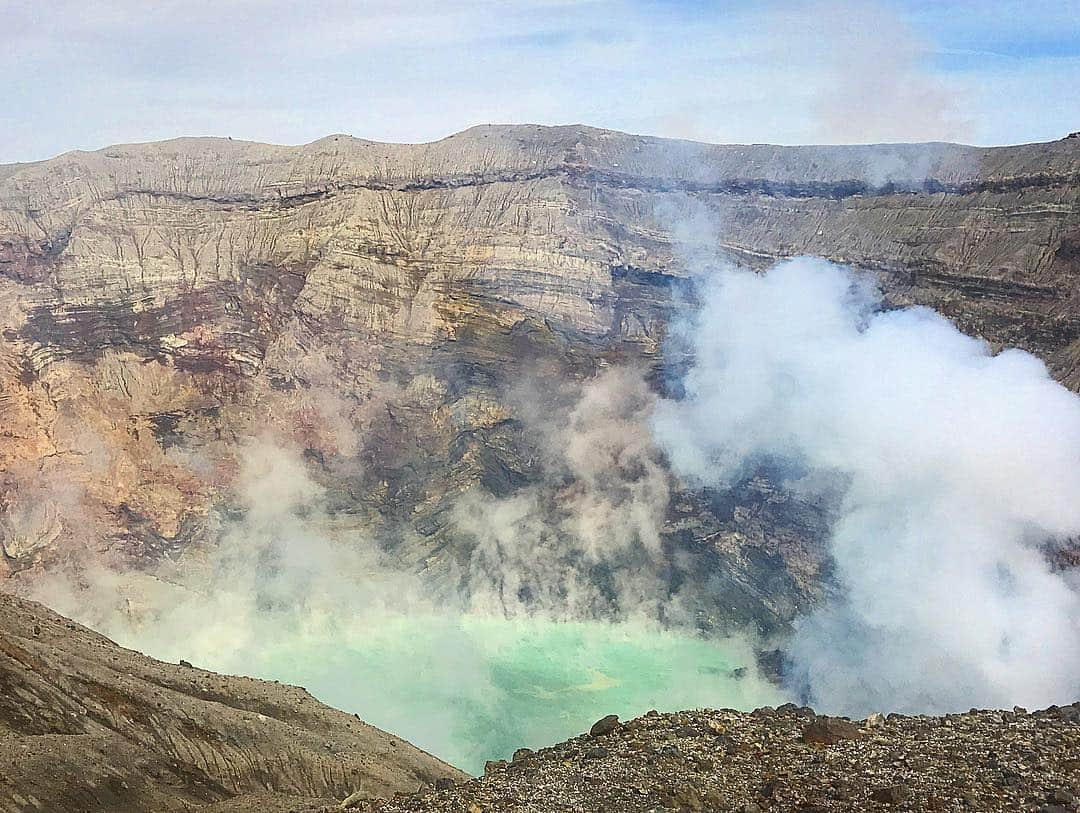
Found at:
(383, 307)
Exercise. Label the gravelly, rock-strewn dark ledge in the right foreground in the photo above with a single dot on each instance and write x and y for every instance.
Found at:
(787, 760)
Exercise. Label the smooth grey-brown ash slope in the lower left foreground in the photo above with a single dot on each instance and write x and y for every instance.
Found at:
(88, 726)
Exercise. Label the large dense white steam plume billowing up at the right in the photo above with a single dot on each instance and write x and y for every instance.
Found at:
(954, 467)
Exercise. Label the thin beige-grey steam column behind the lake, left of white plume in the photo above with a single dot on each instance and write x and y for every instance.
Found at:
(602, 504)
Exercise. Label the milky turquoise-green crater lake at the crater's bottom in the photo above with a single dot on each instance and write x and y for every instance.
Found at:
(470, 689)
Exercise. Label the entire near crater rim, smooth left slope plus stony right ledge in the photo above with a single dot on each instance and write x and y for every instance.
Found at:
(88, 726)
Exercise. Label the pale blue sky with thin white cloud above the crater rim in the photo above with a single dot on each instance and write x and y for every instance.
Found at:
(79, 74)
